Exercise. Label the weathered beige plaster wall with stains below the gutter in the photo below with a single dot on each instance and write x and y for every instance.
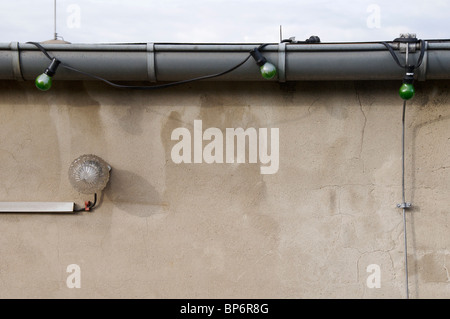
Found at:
(166, 230)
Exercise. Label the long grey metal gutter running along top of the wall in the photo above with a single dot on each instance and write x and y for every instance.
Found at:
(162, 62)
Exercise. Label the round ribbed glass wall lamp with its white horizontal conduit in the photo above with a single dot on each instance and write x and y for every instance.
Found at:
(88, 174)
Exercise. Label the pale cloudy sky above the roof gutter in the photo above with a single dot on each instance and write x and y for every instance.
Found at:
(222, 21)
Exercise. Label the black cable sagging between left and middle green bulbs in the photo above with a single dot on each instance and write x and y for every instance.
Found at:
(146, 87)
